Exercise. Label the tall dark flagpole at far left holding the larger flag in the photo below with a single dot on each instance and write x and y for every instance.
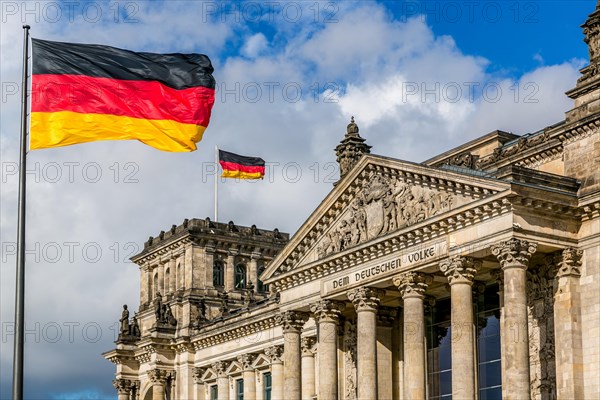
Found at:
(18, 350)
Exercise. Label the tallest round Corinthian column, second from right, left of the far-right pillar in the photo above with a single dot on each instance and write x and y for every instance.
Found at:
(514, 255)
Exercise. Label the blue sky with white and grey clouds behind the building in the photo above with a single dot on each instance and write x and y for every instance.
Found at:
(419, 77)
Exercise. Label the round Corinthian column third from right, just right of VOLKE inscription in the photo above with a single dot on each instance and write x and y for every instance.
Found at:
(460, 272)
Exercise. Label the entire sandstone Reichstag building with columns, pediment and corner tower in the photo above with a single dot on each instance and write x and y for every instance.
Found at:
(475, 273)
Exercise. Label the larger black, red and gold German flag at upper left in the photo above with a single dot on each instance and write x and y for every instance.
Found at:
(84, 93)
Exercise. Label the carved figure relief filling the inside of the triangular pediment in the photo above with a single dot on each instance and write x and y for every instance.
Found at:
(383, 205)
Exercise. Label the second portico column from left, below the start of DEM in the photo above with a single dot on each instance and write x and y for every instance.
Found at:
(327, 314)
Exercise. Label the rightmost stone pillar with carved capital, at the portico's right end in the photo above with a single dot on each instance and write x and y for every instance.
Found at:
(567, 327)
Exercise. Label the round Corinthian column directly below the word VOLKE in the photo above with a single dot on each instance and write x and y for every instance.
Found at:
(412, 287)
